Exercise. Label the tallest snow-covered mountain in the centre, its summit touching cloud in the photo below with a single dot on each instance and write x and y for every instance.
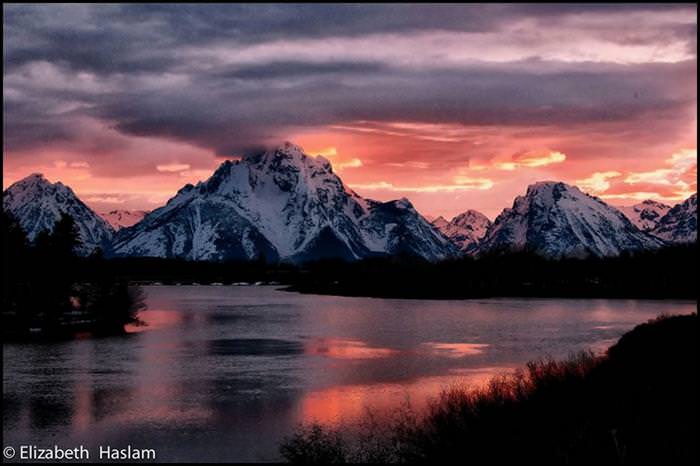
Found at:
(281, 204)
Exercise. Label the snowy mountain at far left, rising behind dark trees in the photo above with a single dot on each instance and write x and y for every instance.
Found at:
(38, 204)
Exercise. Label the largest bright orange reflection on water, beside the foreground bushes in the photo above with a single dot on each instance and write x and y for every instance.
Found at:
(350, 403)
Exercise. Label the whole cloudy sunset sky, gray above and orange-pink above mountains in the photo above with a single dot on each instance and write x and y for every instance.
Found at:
(455, 107)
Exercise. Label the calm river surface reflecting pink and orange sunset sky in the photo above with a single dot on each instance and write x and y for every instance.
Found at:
(223, 373)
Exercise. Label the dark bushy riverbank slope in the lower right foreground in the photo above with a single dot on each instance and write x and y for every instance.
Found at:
(636, 404)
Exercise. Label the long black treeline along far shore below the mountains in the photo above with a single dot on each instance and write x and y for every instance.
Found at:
(667, 273)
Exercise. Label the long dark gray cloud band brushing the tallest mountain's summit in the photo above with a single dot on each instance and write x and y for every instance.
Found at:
(227, 116)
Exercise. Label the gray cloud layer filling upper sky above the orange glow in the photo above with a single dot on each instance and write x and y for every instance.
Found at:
(181, 71)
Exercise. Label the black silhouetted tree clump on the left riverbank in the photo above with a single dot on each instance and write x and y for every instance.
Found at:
(49, 291)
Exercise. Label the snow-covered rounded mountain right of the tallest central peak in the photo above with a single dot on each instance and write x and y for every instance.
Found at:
(556, 220)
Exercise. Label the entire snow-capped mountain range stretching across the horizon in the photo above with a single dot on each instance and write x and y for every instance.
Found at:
(284, 205)
